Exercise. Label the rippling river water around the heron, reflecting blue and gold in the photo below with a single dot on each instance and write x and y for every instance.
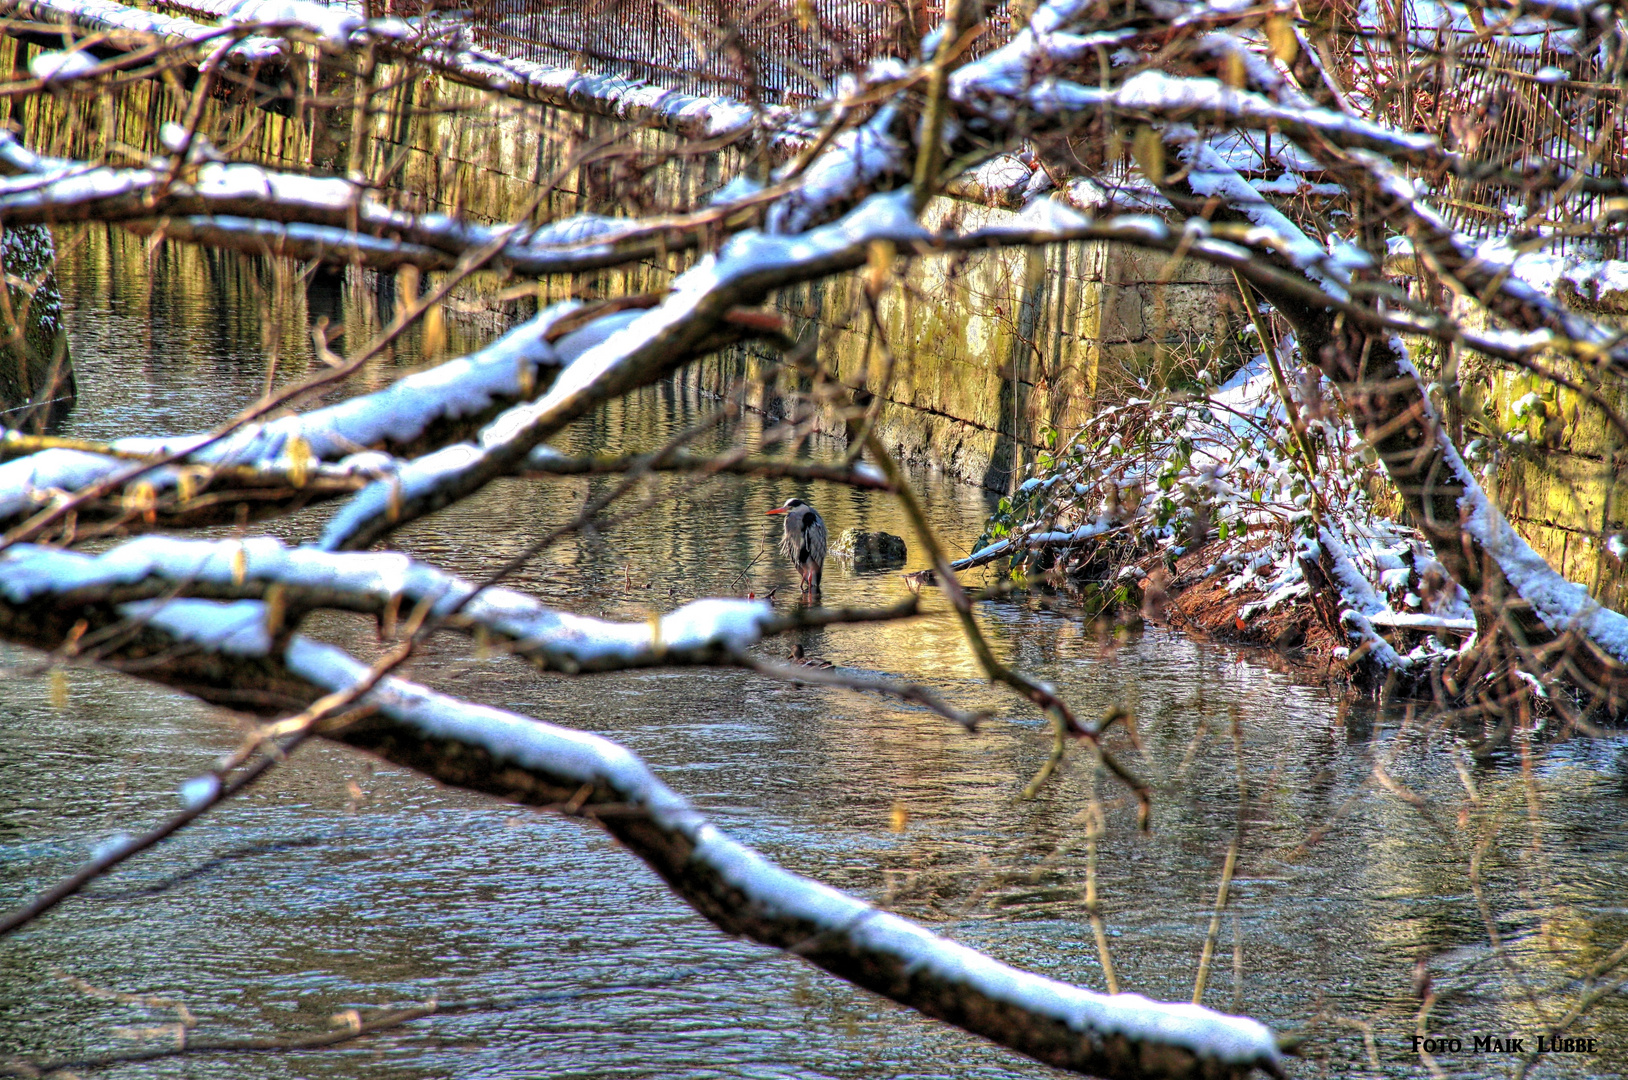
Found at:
(339, 884)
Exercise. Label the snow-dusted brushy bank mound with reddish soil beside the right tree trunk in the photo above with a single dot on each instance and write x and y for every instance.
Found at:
(1186, 511)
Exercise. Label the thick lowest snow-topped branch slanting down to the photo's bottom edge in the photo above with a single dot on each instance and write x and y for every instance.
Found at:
(745, 893)
